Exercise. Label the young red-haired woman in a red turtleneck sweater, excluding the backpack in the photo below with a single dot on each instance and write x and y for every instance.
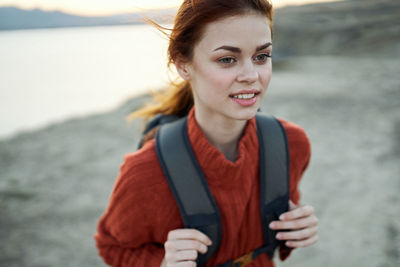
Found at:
(222, 50)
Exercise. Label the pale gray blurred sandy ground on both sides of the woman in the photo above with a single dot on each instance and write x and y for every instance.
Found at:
(55, 182)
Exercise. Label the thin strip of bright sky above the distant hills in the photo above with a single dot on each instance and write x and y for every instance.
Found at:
(106, 7)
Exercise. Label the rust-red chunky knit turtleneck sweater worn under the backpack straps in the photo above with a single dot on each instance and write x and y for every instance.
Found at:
(142, 209)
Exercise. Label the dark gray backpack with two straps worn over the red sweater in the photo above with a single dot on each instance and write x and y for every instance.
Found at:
(189, 186)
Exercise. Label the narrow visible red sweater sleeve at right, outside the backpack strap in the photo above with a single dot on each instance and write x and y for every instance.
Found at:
(299, 154)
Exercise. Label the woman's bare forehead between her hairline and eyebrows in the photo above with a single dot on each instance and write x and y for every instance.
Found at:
(242, 31)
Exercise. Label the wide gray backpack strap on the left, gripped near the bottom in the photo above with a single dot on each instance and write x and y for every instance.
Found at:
(188, 183)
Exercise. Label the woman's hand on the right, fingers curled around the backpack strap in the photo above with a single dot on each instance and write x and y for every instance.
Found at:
(301, 223)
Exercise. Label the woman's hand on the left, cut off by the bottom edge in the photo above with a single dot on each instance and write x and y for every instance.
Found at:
(183, 246)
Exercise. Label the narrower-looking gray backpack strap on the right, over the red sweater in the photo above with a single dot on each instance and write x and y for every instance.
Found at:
(274, 174)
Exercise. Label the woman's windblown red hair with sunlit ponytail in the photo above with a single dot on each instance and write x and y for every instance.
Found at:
(189, 25)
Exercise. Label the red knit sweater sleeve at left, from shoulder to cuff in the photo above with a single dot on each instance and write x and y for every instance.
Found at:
(127, 233)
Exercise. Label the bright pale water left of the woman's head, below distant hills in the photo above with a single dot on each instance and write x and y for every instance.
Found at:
(49, 75)
